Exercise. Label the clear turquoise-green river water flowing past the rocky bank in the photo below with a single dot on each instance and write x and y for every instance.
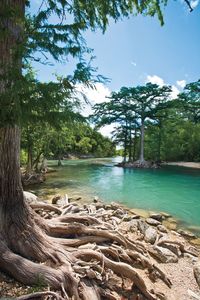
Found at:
(175, 190)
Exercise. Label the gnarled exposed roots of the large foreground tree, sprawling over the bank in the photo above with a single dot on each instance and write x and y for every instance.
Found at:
(77, 255)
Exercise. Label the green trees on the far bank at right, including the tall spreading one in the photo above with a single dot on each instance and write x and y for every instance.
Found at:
(150, 125)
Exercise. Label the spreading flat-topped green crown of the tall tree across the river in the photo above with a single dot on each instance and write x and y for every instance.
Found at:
(129, 109)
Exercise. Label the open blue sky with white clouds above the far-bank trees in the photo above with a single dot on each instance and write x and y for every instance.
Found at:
(138, 50)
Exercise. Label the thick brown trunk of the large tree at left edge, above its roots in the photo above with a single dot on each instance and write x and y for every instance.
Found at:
(12, 205)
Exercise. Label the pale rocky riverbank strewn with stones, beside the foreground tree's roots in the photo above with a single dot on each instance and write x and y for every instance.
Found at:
(163, 258)
